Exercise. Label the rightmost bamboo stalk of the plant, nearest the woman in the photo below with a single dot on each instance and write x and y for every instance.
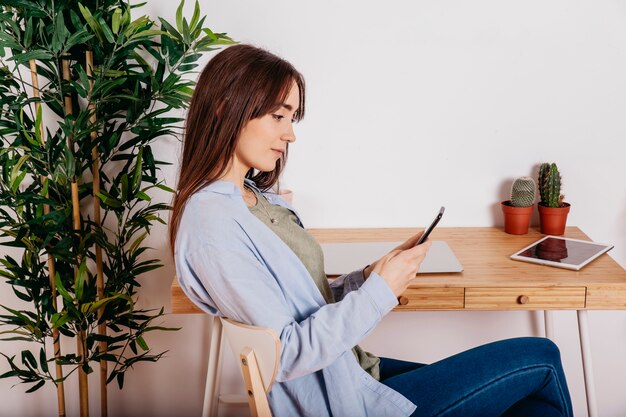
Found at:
(95, 171)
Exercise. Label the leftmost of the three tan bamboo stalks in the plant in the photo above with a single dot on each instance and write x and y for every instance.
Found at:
(56, 341)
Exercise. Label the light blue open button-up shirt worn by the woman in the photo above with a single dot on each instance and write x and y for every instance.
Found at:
(232, 265)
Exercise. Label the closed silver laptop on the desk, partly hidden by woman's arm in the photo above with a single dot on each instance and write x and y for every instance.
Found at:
(341, 258)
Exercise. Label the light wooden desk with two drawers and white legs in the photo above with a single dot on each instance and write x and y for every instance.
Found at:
(492, 281)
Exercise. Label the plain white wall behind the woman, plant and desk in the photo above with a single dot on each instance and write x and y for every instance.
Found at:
(413, 105)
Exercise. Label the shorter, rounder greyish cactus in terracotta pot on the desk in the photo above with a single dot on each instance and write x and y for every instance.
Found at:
(519, 208)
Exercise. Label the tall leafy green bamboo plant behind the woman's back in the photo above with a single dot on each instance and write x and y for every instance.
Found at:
(85, 91)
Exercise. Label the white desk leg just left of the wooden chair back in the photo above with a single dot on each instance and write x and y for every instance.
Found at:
(211, 390)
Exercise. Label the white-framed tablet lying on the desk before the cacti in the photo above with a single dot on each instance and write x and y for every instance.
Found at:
(561, 252)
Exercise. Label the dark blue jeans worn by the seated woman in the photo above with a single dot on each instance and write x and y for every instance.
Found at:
(520, 377)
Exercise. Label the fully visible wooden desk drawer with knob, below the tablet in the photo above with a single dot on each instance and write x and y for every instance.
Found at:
(524, 298)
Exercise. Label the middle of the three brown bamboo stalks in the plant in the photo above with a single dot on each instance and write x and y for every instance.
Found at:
(81, 346)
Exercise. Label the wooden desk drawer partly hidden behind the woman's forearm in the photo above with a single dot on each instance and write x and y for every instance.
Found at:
(432, 299)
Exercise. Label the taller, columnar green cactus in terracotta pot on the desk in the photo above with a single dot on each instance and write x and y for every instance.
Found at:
(552, 210)
